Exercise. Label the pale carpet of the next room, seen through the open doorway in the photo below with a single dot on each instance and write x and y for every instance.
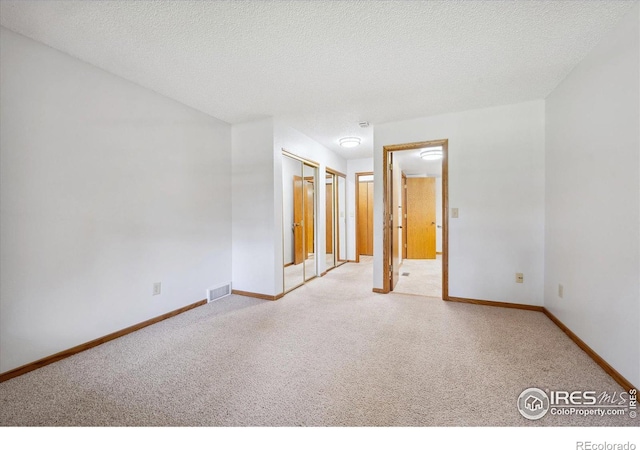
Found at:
(423, 277)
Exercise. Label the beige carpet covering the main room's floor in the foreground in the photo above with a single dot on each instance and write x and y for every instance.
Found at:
(330, 353)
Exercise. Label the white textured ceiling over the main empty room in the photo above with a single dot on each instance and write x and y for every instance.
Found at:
(327, 65)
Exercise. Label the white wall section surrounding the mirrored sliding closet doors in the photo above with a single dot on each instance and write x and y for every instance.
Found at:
(293, 141)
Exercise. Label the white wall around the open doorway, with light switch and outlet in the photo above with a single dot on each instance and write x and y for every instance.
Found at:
(496, 179)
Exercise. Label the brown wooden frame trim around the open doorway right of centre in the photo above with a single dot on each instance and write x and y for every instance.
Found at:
(387, 230)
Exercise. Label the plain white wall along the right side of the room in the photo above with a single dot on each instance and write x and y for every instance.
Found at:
(593, 199)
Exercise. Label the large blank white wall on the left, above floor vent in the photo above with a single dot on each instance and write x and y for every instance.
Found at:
(105, 188)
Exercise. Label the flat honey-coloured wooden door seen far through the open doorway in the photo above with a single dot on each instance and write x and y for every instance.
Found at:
(421, 218)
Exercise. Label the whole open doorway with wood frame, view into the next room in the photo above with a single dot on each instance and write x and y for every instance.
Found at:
(415, 231)
